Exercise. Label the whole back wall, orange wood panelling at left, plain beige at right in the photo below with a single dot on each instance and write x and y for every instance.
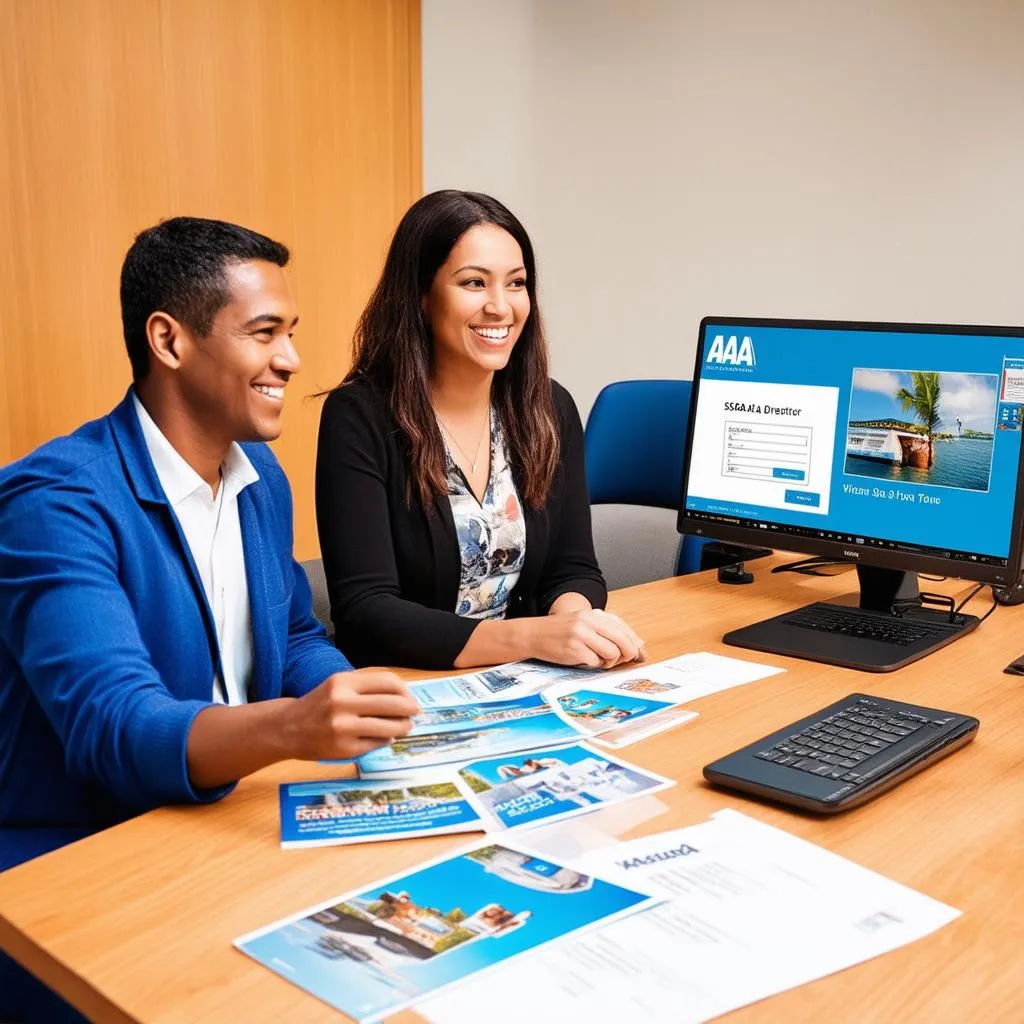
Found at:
(670, 158)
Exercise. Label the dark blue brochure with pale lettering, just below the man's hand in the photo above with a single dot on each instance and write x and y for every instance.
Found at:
(337, 813)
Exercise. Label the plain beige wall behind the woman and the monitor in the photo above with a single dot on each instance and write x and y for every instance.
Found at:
(795, 158)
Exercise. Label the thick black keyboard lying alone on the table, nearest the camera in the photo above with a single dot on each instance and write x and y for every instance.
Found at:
(844, 755)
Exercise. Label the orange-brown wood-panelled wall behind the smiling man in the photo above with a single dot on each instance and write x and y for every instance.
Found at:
(298, 118)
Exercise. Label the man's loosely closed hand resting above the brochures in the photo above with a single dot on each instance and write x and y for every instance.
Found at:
(351, 714)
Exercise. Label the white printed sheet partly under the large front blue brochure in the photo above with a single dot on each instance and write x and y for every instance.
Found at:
(752, 912)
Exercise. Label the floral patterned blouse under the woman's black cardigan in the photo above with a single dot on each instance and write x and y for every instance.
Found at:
(492, 534)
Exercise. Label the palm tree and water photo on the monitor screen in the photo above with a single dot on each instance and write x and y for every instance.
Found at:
(925, 428)
